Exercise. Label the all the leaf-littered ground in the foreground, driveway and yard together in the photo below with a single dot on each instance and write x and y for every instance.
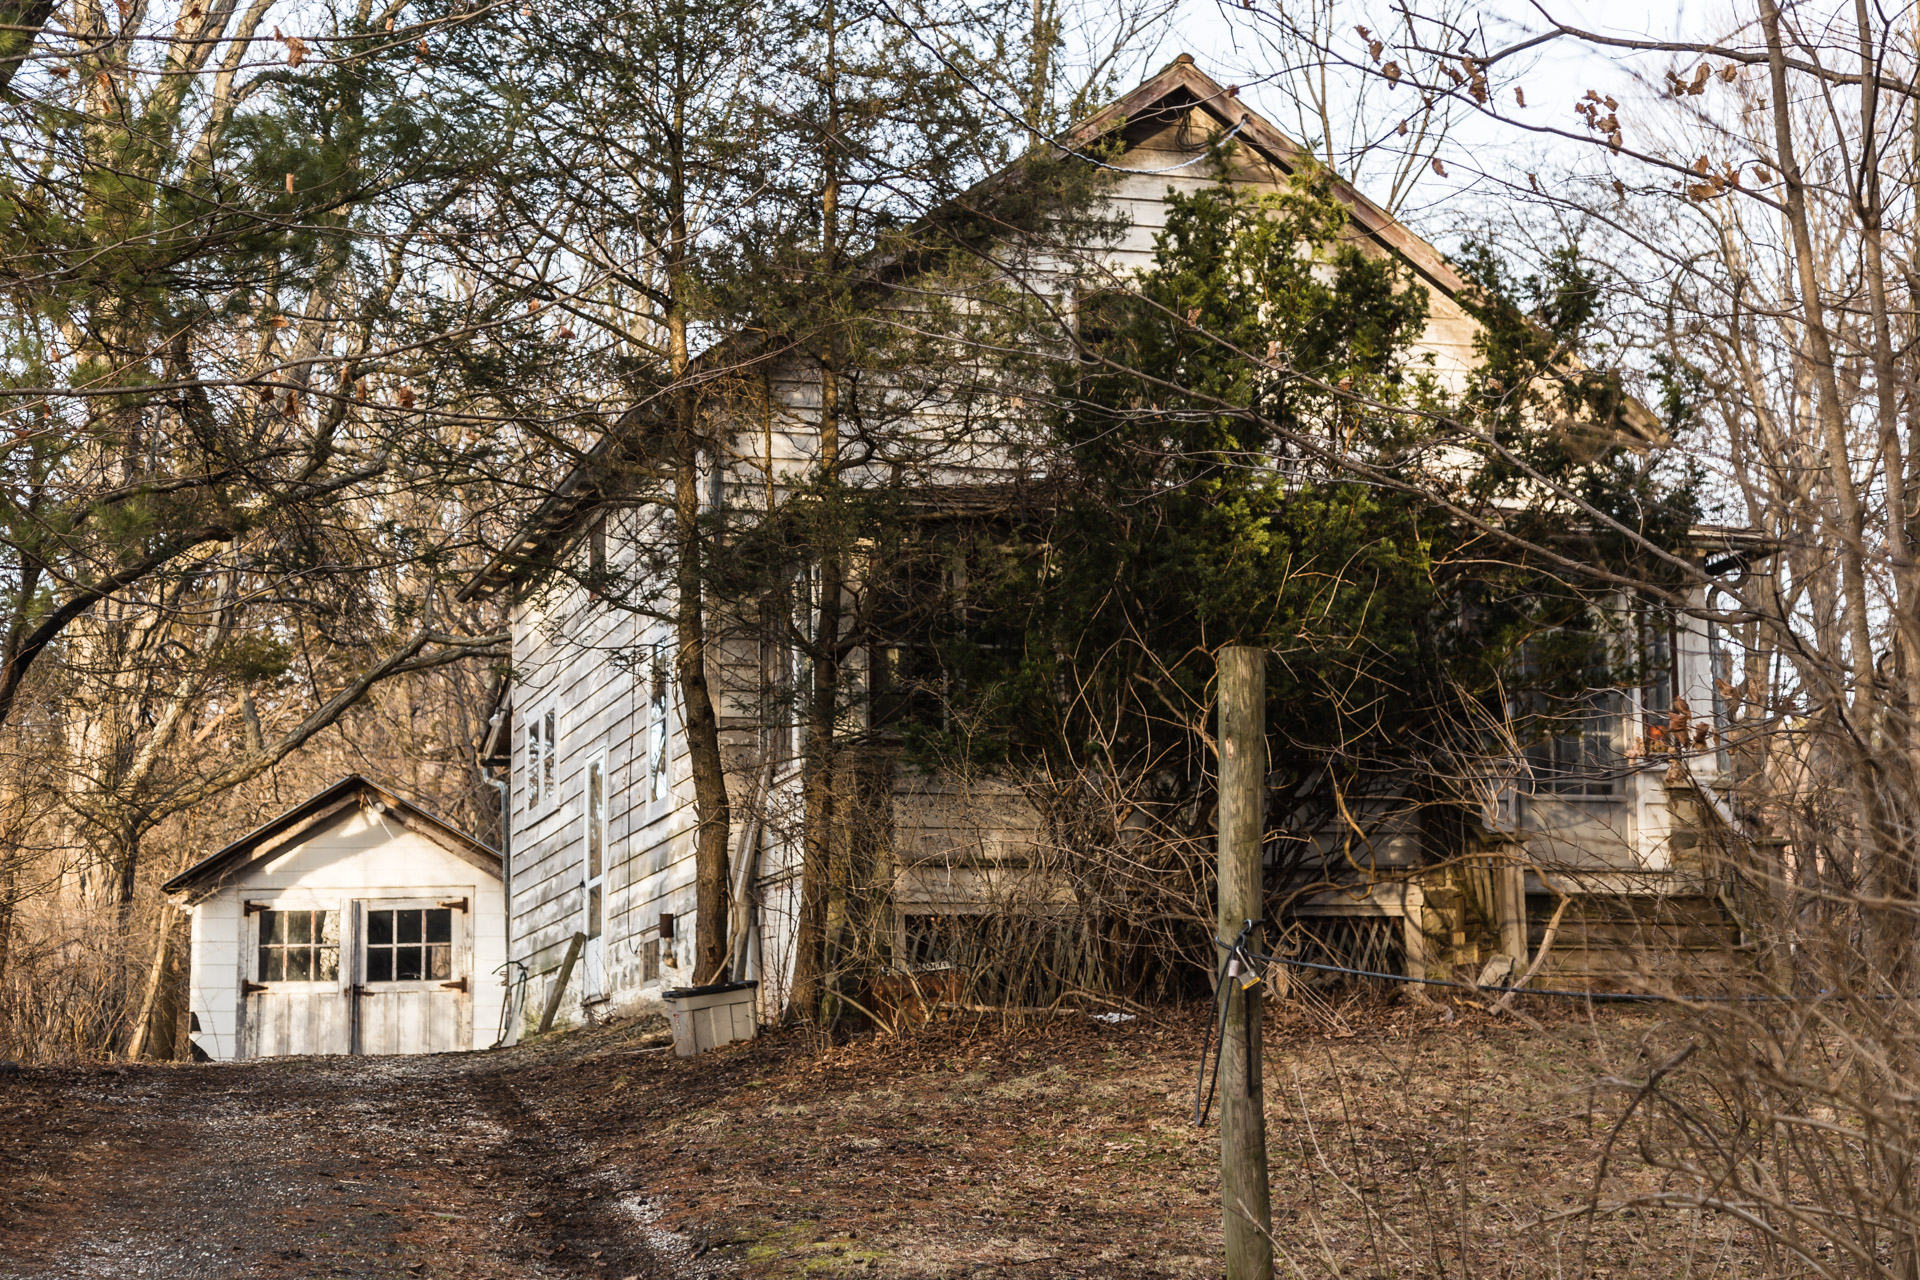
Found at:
(1406, 1141)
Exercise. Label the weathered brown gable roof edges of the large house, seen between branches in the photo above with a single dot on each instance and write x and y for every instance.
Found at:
(1168, 95)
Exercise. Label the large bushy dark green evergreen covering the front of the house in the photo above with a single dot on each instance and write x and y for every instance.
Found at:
(1251, 452)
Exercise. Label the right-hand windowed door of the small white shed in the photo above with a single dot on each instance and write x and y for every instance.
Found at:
(414, 984)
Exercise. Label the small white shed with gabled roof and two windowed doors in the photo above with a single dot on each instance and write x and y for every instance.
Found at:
(352, 924)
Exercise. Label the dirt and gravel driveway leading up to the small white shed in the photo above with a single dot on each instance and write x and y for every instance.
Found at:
(308, 1168)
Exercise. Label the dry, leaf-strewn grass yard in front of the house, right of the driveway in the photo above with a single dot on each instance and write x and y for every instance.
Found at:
(1406, 1141)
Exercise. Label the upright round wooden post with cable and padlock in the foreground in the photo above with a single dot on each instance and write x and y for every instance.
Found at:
(1243, 1106)
